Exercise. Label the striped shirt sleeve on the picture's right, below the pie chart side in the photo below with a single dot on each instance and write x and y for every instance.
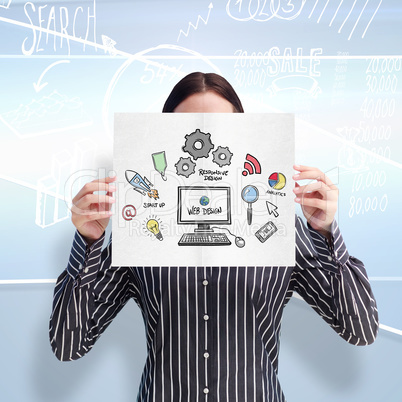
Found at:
(335, 284)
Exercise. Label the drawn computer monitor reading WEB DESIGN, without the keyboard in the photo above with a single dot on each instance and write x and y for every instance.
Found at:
(204, 206)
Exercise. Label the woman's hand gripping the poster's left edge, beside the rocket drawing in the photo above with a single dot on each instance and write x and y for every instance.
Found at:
(91, 212)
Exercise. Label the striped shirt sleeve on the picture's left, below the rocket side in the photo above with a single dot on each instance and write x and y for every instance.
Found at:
(88, 295)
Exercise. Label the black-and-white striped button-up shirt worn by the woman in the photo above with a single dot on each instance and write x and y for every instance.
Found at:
(212, 333)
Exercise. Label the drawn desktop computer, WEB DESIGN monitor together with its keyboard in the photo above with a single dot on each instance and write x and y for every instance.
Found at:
(205, 207)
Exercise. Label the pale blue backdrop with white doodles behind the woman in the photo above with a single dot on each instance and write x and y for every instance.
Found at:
(66, 67)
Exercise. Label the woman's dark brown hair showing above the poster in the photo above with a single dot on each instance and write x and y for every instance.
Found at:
(194, 83)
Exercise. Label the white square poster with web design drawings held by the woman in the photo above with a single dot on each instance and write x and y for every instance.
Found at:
(204, 189)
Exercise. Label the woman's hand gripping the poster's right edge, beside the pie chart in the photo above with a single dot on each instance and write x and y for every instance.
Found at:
(318, 199)
